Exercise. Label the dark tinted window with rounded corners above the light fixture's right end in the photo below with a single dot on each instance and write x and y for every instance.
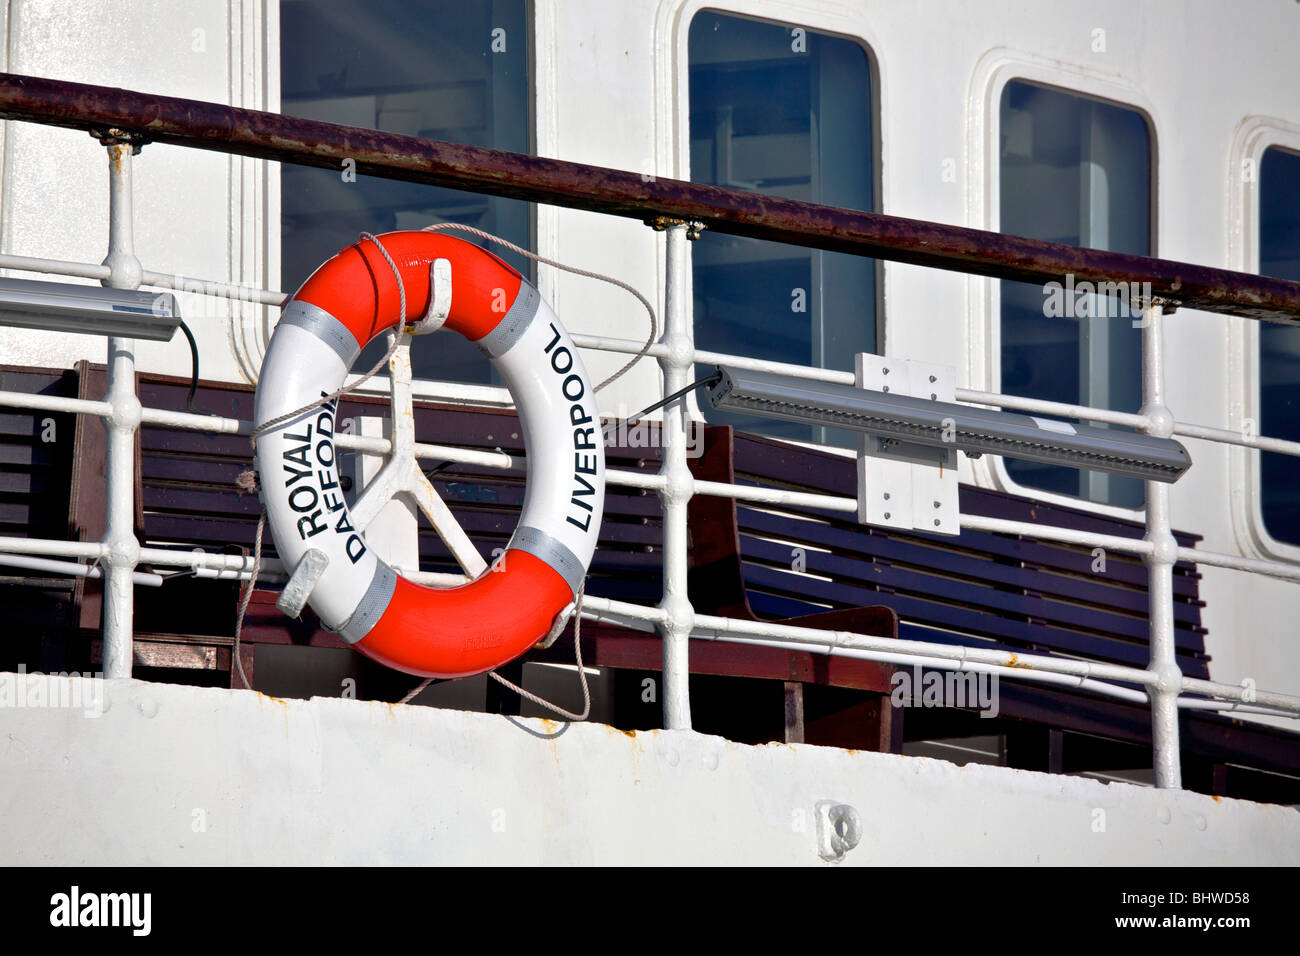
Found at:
(1077, 171)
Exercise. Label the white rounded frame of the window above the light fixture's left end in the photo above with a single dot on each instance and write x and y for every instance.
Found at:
(682, 14)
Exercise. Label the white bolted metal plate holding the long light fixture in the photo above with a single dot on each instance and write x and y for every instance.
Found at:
(903, 485)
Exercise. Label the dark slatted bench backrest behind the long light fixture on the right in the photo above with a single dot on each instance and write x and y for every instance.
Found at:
(1004, 591)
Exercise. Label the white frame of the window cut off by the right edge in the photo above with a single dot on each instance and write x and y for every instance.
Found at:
(1255, 136)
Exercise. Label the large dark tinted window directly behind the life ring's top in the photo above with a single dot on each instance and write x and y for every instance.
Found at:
(441, 70)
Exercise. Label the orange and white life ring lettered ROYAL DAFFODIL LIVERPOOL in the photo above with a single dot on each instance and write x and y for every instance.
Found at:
(439, 633)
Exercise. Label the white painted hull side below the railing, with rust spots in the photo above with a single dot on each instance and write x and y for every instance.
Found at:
(184, 776)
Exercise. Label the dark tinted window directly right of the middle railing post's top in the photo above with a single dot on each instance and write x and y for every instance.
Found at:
(782, 111)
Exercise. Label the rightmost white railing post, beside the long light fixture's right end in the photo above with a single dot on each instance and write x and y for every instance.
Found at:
(1160, 563)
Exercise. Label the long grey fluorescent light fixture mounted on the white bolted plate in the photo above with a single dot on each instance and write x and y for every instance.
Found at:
(947, 426)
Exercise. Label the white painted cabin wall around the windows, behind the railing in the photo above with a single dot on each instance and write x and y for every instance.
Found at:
(610, 90)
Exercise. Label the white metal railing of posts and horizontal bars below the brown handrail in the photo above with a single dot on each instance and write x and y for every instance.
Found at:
(1160, 685)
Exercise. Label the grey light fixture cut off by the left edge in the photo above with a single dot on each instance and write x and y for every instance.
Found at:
(66, 308)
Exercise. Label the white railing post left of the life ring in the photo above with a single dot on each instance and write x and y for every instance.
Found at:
(123, 551)
